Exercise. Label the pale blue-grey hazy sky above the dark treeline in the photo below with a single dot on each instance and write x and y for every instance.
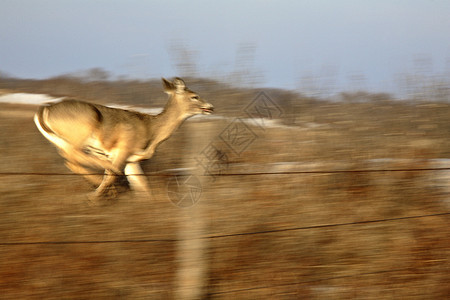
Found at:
(340, 44)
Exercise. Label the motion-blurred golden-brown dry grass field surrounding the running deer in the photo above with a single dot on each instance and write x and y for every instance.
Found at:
(393, 258)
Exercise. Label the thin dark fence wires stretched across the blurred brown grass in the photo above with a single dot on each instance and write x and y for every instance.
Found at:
(250, 233)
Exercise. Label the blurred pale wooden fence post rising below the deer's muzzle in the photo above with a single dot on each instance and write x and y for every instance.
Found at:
(192, 248)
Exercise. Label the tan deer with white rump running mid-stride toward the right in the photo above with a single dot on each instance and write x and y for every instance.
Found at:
(92, 136)
